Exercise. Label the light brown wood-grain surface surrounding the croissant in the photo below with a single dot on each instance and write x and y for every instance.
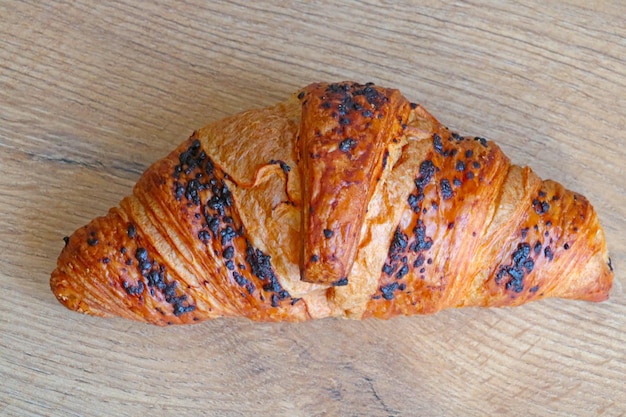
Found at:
(92, 92)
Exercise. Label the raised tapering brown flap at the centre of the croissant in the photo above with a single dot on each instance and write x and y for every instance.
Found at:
(346, 132)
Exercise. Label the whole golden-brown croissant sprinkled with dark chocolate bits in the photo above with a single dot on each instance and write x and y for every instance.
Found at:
(346, 200)
